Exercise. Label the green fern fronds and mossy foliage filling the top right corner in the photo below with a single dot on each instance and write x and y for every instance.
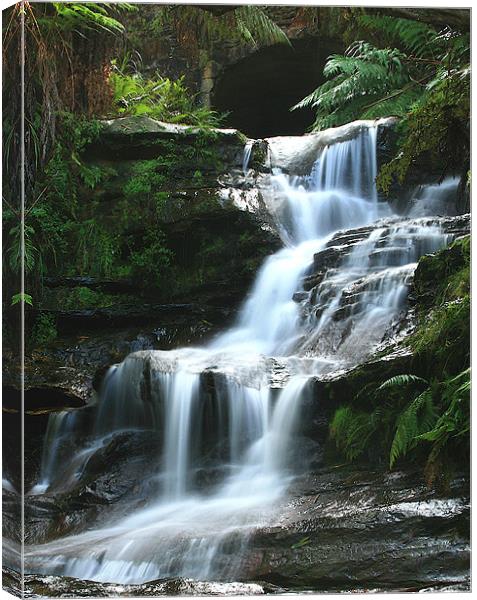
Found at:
(420, 74)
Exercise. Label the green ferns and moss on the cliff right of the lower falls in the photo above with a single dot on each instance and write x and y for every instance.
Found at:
(423, 416)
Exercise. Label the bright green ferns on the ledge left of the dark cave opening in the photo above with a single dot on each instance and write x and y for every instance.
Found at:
(159, 98)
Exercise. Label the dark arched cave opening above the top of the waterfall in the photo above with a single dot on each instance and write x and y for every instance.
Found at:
(259, 90)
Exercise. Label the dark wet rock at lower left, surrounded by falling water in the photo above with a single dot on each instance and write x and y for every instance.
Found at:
(110, 481)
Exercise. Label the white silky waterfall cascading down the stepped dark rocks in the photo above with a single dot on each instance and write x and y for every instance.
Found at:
(186, 530)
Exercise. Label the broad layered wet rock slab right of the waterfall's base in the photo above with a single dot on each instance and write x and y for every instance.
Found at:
(367, 530)
